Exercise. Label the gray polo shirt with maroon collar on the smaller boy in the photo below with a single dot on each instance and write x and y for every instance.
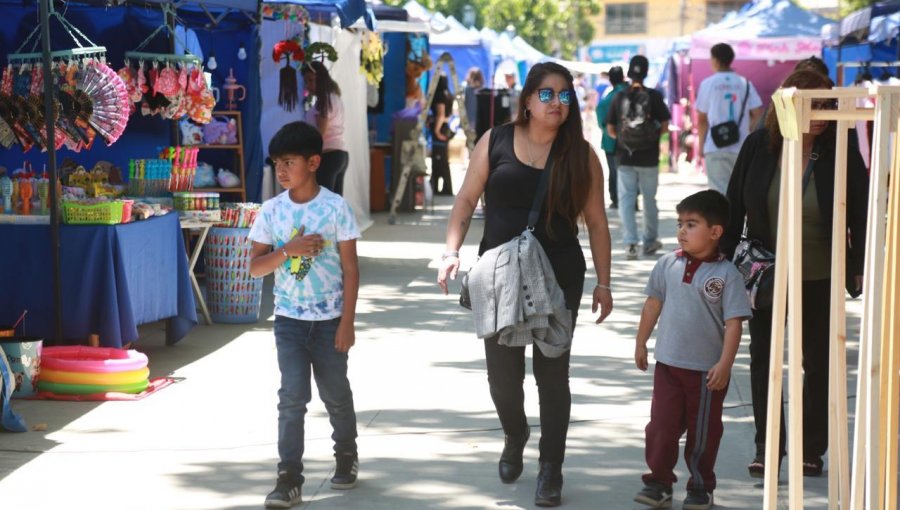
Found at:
(698, 297)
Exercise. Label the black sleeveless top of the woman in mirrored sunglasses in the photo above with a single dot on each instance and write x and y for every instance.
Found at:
(509, 192)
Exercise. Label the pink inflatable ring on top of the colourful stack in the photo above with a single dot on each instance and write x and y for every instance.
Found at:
(98, 360)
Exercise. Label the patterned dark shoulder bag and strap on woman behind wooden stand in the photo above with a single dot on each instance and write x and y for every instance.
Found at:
(757, 264)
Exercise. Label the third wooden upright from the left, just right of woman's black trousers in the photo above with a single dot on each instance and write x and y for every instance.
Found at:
(838, 461)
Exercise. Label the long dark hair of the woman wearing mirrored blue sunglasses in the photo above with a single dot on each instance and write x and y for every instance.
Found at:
(570, 175)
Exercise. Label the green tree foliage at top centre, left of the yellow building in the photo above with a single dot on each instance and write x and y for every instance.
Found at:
(555, 27)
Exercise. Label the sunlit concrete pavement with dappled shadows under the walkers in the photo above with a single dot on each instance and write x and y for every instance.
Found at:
(429, 436)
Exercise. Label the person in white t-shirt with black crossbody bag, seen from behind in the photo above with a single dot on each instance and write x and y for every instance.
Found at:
(724, 97)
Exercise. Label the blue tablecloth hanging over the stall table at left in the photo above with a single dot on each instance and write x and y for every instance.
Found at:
(113, 279)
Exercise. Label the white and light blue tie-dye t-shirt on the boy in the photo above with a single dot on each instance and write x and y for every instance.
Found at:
(307, 288)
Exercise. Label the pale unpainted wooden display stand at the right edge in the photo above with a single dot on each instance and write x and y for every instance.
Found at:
(878, 395)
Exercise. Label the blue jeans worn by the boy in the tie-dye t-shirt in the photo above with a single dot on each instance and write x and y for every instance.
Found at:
(304, 345)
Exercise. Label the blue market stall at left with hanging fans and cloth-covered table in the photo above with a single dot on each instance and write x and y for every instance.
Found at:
(113, 275)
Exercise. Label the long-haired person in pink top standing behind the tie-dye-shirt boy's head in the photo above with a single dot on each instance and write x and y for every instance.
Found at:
(326, 113)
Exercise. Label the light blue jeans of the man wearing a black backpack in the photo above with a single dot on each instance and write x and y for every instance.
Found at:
(631, 179)
